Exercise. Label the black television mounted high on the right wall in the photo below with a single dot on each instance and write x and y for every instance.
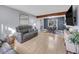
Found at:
(69, 17)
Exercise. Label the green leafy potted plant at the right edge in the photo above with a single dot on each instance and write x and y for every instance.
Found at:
(75, 39)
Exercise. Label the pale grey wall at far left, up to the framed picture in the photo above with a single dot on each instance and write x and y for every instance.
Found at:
(9, 19)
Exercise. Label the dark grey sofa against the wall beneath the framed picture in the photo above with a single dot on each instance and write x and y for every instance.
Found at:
(25, 33)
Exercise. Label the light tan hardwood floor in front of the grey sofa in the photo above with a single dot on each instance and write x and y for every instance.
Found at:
(43, 43)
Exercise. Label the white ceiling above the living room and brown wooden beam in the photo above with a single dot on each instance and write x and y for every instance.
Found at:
(40, 9)
